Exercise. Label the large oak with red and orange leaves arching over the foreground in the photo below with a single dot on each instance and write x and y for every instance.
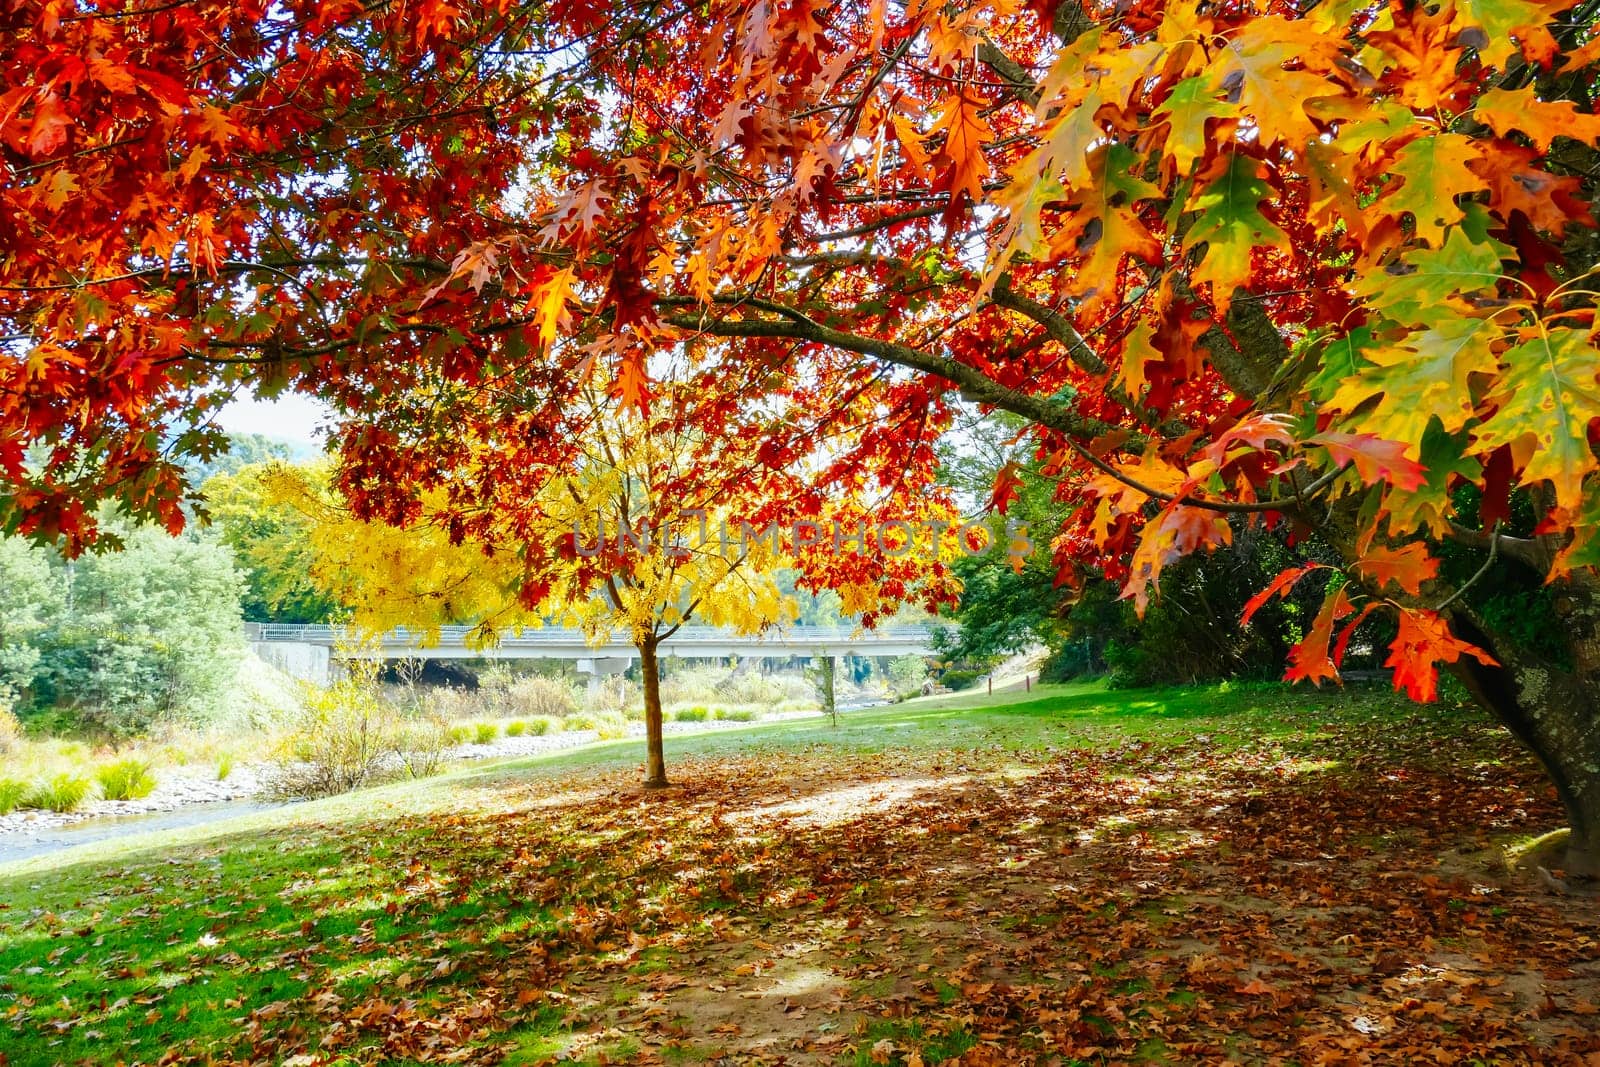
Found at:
(1321, 266)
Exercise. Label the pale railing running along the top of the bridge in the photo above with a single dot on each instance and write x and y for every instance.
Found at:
(457, 636)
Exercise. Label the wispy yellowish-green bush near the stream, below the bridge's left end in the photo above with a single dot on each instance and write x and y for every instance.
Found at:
(342, 743)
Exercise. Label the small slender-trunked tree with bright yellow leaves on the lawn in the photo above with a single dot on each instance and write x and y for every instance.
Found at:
(636, 535)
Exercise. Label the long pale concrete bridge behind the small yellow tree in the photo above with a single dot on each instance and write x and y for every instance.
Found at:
(310, 652)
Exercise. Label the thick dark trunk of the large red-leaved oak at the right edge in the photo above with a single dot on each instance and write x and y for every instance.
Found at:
(1553, 711)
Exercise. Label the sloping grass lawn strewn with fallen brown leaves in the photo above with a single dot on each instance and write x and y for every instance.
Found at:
(1068, 876)
